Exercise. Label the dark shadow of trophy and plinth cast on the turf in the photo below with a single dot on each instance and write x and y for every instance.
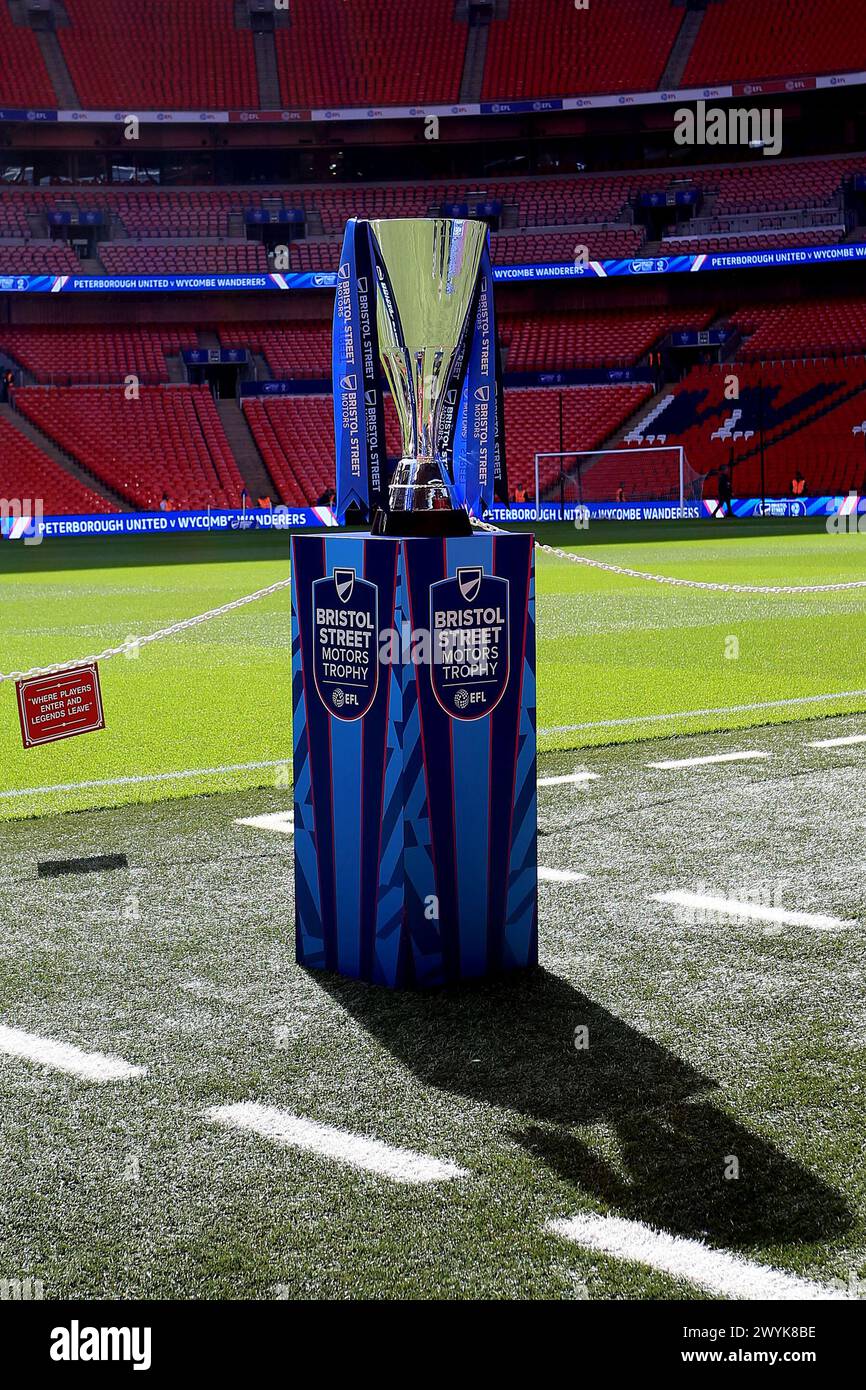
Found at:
(511, 1043)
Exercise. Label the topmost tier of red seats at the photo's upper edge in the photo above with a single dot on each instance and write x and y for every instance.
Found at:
(202, 55)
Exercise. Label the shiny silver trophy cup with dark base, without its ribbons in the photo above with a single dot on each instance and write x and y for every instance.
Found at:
(427, 275)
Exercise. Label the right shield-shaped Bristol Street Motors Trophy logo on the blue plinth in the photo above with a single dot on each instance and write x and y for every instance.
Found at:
(471, 628)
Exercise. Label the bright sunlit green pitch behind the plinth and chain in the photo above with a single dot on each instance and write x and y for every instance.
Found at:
(614, 653)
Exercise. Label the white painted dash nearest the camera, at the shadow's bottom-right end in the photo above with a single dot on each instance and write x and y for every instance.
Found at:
(717, 1271)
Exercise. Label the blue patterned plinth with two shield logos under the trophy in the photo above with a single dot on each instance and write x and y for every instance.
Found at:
(414, 673)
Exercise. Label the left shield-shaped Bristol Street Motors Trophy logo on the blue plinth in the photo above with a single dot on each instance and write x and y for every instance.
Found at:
(345, 643)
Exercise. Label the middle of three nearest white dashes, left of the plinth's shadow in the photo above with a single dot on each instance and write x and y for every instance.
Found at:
(373, 1156)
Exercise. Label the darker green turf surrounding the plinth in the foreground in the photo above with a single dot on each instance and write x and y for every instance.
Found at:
(707, 1040)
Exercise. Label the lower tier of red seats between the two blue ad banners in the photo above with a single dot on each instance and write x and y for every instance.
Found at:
(174, 439)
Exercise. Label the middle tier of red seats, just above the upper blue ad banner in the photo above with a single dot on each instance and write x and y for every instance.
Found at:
(789, 204)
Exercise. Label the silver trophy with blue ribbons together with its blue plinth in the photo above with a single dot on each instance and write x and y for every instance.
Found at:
(414, 644)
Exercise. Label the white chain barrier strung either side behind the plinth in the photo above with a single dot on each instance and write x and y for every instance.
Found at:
(131, 644)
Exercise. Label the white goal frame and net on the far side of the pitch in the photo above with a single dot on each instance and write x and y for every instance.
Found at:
(653, 473)
